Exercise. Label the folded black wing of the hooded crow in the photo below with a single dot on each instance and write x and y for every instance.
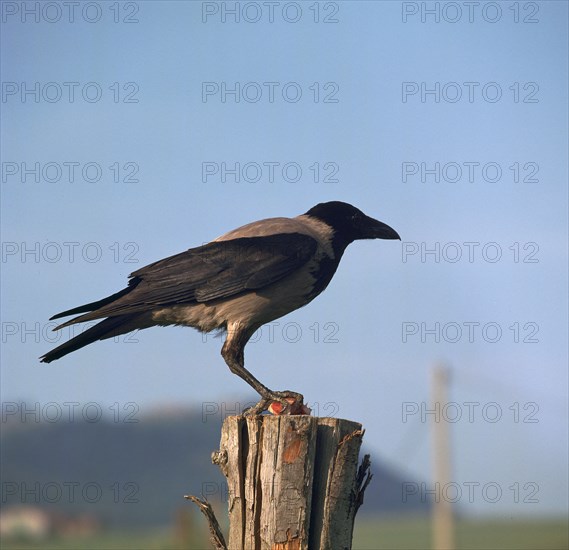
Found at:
(216, 270)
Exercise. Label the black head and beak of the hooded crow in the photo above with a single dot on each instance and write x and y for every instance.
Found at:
(351, 224)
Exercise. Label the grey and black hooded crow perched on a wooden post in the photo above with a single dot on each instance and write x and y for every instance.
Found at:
(236, 283)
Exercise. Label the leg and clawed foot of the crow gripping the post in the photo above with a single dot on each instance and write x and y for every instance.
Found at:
(233, 354)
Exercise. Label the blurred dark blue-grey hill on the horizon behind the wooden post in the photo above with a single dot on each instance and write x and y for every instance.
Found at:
(135, 474)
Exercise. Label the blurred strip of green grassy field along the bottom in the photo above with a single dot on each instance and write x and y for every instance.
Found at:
(369, 535)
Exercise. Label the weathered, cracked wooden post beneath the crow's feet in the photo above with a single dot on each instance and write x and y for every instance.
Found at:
(294, 481)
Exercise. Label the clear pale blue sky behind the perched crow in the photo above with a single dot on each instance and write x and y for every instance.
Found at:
(385, 297)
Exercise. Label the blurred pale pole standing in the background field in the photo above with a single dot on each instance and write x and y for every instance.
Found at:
(443, 521)
